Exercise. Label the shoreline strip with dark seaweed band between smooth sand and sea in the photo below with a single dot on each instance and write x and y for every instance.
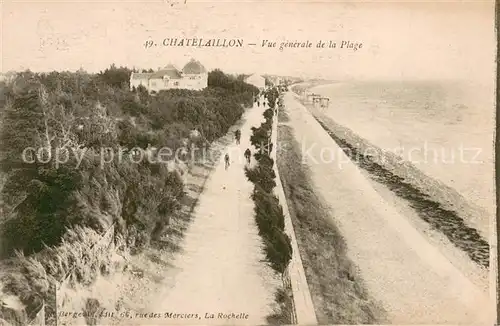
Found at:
(445, 199)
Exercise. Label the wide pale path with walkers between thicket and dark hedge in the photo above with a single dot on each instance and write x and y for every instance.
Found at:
(221, 269)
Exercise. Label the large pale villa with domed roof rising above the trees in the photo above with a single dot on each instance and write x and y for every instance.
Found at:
(193, 76)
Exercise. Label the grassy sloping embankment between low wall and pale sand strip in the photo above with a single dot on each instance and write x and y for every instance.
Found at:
(337, 290)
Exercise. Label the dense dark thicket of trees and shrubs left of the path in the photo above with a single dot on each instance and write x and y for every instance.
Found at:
(81, 114)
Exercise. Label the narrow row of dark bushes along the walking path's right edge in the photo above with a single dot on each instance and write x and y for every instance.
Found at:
(269, 214)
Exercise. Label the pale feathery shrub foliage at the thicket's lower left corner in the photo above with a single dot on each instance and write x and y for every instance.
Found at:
(81, 257)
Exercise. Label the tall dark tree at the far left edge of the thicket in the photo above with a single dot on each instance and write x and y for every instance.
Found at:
(38, 190)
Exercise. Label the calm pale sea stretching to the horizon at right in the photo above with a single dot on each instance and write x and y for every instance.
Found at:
(444, 128)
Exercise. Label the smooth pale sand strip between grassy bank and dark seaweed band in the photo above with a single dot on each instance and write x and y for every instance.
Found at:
(413, 281)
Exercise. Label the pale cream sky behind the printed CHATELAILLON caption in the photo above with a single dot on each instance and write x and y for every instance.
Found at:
(401, 40)
